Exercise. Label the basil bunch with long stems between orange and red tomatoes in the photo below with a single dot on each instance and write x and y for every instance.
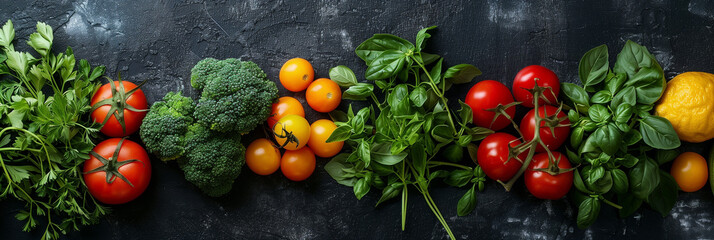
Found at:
(395, 141)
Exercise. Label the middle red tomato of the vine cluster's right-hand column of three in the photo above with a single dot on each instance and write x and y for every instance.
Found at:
(553, 141)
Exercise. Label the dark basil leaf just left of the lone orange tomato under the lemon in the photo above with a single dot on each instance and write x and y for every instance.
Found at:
(663, 198)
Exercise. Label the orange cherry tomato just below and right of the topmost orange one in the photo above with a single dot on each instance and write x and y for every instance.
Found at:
(323, 95)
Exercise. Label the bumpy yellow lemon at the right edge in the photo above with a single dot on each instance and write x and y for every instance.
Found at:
(688, 103)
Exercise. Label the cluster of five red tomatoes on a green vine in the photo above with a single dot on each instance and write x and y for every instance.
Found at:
(501, 154)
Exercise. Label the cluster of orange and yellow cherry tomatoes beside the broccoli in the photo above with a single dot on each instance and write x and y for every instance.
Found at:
(300, 139)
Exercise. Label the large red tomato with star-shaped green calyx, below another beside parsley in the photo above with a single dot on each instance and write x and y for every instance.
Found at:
(131, 163)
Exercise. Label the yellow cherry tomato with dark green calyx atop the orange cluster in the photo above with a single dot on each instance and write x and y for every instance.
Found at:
(292, 132)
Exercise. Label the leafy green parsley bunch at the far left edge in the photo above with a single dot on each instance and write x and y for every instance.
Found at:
(46, 135)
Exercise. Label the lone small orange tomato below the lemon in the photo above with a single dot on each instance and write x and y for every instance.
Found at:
(690, 171)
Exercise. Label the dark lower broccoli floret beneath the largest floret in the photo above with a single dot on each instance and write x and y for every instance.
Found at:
(213, 159)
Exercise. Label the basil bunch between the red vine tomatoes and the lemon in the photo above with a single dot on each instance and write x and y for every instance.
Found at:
(614, 134)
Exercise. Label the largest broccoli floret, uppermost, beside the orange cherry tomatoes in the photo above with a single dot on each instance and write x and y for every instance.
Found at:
(236, 96)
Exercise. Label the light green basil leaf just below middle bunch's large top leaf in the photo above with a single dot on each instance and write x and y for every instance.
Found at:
(386, 65)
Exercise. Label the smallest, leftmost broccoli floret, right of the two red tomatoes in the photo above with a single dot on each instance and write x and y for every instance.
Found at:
(164, 127)
